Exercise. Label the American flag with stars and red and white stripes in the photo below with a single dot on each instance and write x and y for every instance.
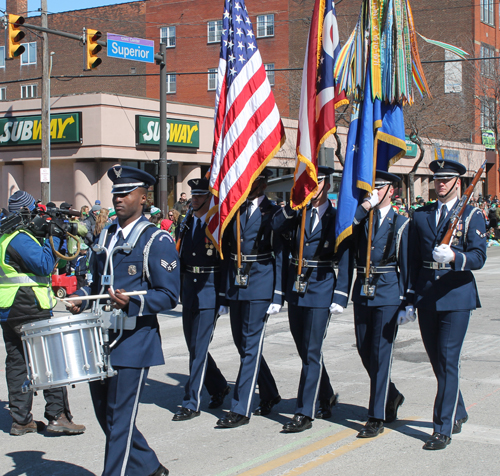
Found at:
(248, 128)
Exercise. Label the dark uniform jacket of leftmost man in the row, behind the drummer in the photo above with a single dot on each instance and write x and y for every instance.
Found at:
(203, 288)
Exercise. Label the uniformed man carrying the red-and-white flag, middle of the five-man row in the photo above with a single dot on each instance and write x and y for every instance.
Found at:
(312, 298)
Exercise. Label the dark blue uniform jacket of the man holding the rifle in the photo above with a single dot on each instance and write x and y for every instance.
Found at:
(446, 290)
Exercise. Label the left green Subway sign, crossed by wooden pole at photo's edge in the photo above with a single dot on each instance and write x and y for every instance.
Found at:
(27, 130)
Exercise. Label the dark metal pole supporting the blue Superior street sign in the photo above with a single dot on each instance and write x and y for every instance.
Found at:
(163, 169)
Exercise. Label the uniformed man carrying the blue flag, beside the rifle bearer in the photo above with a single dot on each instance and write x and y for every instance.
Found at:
(377, 303)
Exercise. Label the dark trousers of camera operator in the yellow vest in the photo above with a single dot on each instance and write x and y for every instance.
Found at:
(20, 404)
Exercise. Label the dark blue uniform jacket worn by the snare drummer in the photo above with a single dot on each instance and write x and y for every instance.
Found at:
(141, 347)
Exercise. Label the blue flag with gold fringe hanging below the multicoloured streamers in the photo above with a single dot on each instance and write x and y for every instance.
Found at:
(369, 119)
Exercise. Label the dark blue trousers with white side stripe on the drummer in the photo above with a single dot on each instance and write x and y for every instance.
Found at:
(116, 401)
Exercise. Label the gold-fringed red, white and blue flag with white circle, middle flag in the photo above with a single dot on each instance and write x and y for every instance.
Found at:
(318, 99)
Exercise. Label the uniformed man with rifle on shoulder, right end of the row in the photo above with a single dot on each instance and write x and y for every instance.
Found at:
(443, 289)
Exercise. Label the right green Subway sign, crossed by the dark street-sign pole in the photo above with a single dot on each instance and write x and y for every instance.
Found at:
(179, 133)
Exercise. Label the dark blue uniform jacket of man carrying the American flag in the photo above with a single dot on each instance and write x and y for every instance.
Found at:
(265, 277)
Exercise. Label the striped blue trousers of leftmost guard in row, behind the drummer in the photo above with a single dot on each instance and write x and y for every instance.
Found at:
(199, 326)
